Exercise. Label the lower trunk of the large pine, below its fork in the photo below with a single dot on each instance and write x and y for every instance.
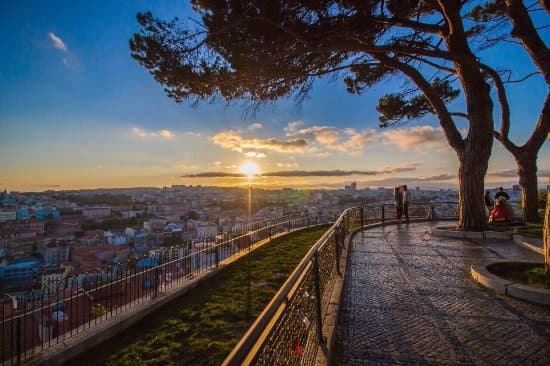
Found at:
(471, 179)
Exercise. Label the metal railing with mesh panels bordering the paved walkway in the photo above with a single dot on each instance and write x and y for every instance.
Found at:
(290, 329)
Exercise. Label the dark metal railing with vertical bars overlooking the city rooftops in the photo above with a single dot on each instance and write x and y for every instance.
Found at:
(53, 314)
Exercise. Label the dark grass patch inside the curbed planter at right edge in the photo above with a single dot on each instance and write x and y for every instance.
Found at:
(523, 273)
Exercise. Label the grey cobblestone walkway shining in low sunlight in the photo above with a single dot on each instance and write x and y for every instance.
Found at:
(409, 300)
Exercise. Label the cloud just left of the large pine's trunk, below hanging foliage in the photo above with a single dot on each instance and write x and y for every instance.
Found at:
(416, 137)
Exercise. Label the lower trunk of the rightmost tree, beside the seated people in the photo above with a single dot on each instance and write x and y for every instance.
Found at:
(527, 172)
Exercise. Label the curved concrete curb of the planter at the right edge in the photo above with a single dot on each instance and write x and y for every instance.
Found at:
(481, 274)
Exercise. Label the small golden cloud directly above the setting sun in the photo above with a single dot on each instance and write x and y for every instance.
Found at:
(234, 141)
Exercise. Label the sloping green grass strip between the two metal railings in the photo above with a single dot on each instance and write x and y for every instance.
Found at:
(203, 326)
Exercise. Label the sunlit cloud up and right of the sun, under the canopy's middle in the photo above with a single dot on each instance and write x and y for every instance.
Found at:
(347, 140)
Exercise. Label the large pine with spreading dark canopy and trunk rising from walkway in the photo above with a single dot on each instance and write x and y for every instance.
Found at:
(262, 50)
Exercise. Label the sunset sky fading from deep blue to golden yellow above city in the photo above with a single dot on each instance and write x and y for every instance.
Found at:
(76, 111)
